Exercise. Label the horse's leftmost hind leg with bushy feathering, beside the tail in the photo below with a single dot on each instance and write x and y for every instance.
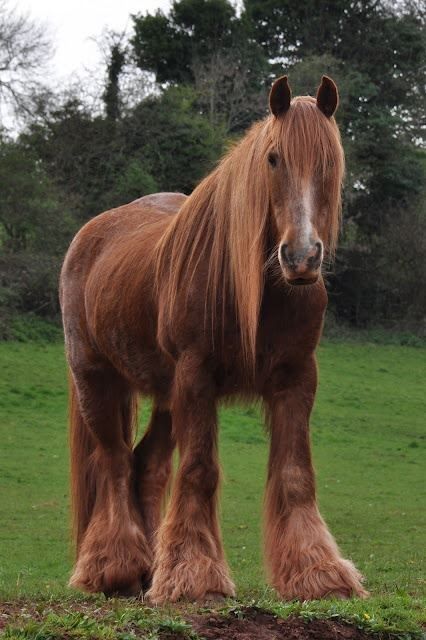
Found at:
(113, 554)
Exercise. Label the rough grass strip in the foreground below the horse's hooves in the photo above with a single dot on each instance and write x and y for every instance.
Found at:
(72, 616)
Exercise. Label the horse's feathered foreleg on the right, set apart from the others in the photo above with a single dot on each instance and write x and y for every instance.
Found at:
(303, 558)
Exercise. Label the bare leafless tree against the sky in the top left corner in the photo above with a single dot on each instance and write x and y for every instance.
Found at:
(24, 51)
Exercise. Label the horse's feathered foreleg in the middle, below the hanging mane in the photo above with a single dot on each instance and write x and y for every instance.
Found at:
(189, 560)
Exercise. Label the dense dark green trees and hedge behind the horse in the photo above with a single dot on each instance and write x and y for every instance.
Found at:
(212, 67)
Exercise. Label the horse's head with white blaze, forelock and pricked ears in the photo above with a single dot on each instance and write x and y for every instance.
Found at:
(305, 168)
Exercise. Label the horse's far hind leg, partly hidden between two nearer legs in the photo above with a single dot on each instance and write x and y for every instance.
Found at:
(153, 466)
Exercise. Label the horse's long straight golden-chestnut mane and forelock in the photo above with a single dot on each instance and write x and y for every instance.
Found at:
(223, 225)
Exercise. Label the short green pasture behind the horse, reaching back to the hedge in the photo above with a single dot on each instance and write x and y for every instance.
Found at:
(368, 438)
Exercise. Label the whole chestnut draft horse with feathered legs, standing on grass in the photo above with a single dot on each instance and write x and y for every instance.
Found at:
(193, 300)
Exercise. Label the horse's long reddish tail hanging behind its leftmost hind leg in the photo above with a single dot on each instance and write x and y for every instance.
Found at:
(83, 465)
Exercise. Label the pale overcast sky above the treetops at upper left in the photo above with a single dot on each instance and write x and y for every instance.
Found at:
(73, 24)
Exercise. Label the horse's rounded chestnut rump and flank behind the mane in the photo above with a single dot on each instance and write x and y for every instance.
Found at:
(107, 279)
